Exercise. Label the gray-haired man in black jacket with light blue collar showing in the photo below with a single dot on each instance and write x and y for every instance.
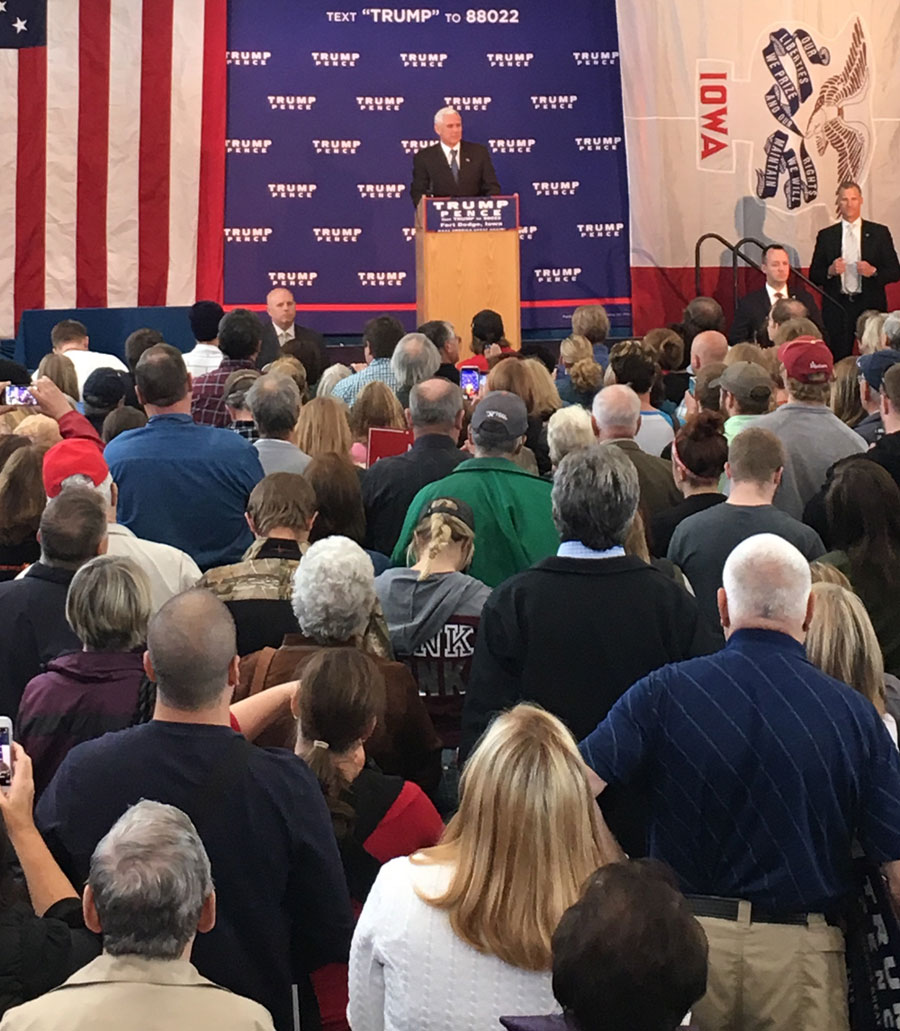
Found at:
(603, 617)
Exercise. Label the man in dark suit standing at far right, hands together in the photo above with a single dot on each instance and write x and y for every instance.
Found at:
(853, 262)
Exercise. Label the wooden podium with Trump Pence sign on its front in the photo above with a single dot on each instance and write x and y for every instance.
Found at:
(466, 260)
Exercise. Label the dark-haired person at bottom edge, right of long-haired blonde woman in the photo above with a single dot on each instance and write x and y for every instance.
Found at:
(628, 955)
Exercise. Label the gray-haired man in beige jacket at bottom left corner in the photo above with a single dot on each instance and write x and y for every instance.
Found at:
(150, 892)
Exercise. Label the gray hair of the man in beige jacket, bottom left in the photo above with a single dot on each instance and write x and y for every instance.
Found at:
(150, 877)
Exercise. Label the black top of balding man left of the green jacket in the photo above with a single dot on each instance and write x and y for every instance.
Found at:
(392, 484)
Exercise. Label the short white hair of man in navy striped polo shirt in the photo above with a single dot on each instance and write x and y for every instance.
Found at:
(766, 579)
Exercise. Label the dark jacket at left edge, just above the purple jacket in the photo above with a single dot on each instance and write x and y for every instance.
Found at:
(34, 617)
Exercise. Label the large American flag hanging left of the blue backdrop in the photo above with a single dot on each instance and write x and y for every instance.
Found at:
(112, 153)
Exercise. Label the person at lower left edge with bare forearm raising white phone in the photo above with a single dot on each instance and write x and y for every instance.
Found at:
(45, 943)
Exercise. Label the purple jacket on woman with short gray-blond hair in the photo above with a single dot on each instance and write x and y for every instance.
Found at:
(80, 697)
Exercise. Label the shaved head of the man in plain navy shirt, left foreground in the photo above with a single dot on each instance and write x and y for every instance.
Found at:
(191, 643)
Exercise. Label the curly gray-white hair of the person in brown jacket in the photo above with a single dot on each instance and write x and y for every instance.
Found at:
(335, 591)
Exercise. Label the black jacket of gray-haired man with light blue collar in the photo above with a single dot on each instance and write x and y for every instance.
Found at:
(574, 636)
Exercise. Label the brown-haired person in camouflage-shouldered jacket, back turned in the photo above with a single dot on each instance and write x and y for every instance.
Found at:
(257, 590)
